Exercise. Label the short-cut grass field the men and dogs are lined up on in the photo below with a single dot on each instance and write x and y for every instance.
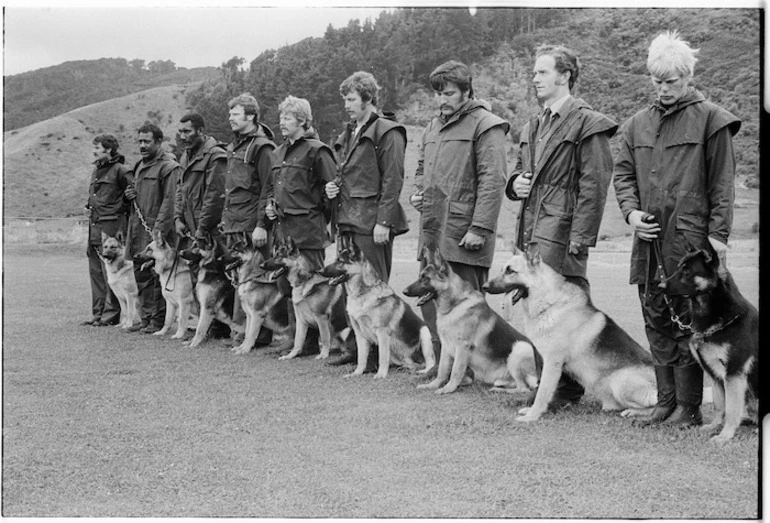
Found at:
(98, 422)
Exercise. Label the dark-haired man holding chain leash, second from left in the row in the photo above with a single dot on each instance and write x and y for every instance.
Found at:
(152, 207)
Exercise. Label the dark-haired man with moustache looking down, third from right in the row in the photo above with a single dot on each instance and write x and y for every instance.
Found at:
(460, 176)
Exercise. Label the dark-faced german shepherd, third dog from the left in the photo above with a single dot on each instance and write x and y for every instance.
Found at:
(214, 289)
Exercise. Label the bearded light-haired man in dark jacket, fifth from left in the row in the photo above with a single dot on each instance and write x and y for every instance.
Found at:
(302, 165)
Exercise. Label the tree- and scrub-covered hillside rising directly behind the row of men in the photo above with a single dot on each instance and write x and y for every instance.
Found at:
(402, 46)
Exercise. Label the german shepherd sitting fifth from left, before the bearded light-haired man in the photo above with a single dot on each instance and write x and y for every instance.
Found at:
(316, 302)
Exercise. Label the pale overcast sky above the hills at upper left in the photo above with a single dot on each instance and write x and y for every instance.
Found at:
(190, 37)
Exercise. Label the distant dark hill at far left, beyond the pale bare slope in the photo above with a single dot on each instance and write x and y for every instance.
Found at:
(51, 91)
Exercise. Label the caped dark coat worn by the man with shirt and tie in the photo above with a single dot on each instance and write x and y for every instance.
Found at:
(569, 185)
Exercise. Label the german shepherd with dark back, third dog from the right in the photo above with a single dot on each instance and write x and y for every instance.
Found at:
(471, 333)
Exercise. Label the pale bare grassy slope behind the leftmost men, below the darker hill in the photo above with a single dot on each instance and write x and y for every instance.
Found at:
(47, 165)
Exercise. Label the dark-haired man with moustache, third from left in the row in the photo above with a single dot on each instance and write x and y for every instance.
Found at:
(201, 185)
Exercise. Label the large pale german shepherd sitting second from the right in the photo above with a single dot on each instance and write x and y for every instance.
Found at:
(574, 336)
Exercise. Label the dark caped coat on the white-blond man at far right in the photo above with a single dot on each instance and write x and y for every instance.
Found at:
(677, 163)
